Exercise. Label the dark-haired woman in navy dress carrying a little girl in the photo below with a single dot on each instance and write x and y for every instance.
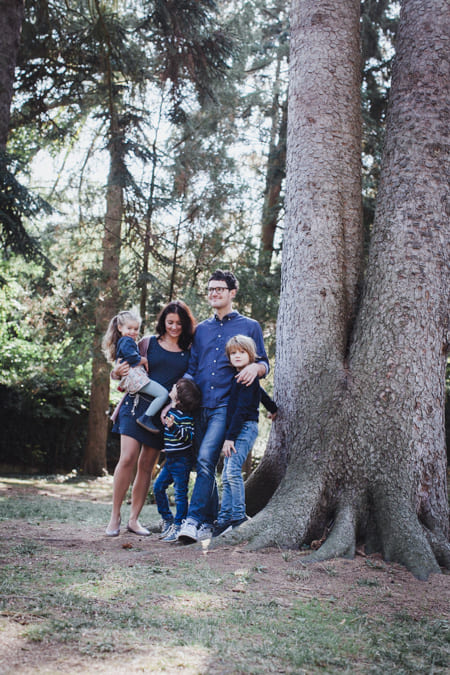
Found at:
(168, 357)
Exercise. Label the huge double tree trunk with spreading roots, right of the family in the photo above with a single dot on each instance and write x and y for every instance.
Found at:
(362, 427)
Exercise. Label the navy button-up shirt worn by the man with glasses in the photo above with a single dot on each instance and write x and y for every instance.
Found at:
(209, 365)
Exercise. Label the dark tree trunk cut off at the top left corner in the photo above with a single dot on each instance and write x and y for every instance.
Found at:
(11, 17)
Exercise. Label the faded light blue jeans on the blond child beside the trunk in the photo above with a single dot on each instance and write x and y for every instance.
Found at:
(233, 492)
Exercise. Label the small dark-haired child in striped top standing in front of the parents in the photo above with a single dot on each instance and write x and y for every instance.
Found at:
(185, 399)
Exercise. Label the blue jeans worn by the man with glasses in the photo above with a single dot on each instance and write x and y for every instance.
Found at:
(210, 429)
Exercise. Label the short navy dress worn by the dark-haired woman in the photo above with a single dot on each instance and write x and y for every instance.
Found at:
(164, 367)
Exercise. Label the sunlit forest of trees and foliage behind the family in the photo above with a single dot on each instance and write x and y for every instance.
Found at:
(146, 147)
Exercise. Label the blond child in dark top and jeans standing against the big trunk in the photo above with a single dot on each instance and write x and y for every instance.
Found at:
(241, 433)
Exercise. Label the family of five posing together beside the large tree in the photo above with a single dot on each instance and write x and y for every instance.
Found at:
(210, 375)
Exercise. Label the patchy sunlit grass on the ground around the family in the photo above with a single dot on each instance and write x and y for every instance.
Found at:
(182, 616)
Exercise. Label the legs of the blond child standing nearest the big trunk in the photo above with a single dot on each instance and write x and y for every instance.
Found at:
(243, 445)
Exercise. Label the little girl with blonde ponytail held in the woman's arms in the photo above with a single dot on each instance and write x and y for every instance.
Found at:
(119, 342)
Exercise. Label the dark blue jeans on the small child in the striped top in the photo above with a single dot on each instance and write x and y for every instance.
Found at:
(175, 470)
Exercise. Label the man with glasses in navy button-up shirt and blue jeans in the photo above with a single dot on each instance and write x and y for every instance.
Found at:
(212, 372)
